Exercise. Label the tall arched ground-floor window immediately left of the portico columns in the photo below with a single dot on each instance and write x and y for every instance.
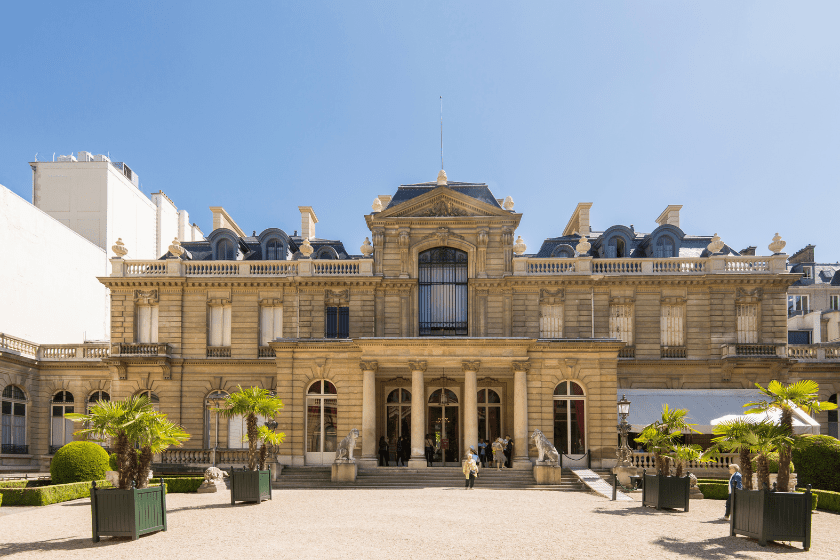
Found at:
(321, 423)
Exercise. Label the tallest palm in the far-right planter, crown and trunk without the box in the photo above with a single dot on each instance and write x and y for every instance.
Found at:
(802, 394)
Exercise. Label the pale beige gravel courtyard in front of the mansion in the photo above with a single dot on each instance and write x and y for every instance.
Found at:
(430, 523)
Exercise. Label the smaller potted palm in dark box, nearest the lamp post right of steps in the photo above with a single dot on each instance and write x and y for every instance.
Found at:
(660, 438)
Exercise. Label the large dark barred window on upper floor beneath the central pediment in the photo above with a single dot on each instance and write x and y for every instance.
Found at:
(443, 292)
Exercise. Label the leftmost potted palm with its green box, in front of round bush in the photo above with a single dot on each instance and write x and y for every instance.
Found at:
(133, 508)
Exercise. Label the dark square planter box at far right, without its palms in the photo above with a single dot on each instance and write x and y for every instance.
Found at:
(772, 516)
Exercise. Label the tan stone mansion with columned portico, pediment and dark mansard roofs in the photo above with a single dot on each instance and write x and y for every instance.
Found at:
(444, 325)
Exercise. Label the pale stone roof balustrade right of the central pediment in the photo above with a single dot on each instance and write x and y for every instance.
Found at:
(532, 266)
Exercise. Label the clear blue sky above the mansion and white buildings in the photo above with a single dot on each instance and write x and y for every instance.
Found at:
(729, 108)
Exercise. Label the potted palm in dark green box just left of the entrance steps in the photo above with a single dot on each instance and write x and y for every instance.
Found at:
(253, 484)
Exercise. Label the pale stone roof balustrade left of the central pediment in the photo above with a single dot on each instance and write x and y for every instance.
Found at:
(303, 267)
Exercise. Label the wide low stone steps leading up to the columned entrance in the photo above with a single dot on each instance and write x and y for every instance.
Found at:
(405, 478)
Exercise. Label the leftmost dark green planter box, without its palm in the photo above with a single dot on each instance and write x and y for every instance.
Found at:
(127, 513)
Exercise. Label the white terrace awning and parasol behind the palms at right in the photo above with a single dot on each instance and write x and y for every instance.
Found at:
(706, 408)
